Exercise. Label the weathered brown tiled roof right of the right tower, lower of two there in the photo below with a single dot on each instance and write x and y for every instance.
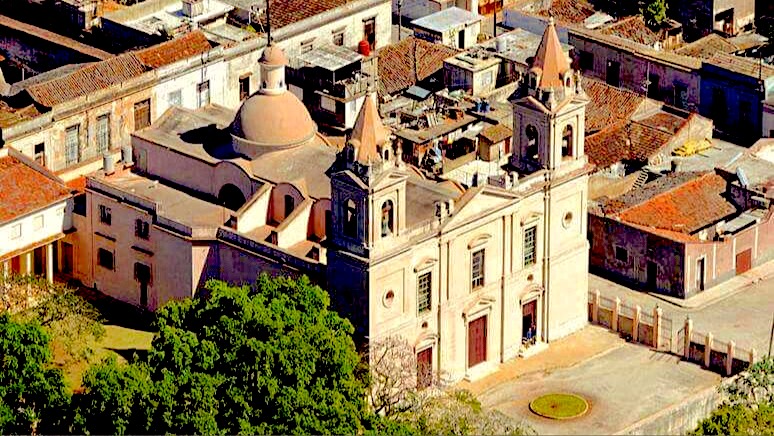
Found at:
(624, 141)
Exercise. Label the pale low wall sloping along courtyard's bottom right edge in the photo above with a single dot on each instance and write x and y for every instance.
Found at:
(682, 417)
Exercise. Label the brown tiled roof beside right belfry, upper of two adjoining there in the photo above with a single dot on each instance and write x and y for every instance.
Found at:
(608, 104)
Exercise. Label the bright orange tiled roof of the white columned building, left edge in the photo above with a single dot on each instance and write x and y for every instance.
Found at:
(23, 189)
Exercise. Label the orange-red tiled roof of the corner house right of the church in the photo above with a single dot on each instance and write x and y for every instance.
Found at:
(685, 209)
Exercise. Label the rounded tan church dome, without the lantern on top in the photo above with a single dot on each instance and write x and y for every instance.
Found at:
(274, 121)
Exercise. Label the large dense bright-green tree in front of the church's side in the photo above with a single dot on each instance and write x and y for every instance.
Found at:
(264, 359)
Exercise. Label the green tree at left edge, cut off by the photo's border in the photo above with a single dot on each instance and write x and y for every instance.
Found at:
(32, 394)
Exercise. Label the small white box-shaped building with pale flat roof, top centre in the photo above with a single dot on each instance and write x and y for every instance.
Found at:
(455, 27)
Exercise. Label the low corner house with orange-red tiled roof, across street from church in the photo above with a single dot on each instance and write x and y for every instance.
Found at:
(683, 233)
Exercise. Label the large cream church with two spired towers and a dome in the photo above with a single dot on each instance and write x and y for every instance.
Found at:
(470, 276)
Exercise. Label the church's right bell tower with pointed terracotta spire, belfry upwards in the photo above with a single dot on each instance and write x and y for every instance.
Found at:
(549, 117)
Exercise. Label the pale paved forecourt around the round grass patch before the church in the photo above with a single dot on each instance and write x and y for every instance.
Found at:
(622, 382)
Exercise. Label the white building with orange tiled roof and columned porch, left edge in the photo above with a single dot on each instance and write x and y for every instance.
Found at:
(34, 217)
